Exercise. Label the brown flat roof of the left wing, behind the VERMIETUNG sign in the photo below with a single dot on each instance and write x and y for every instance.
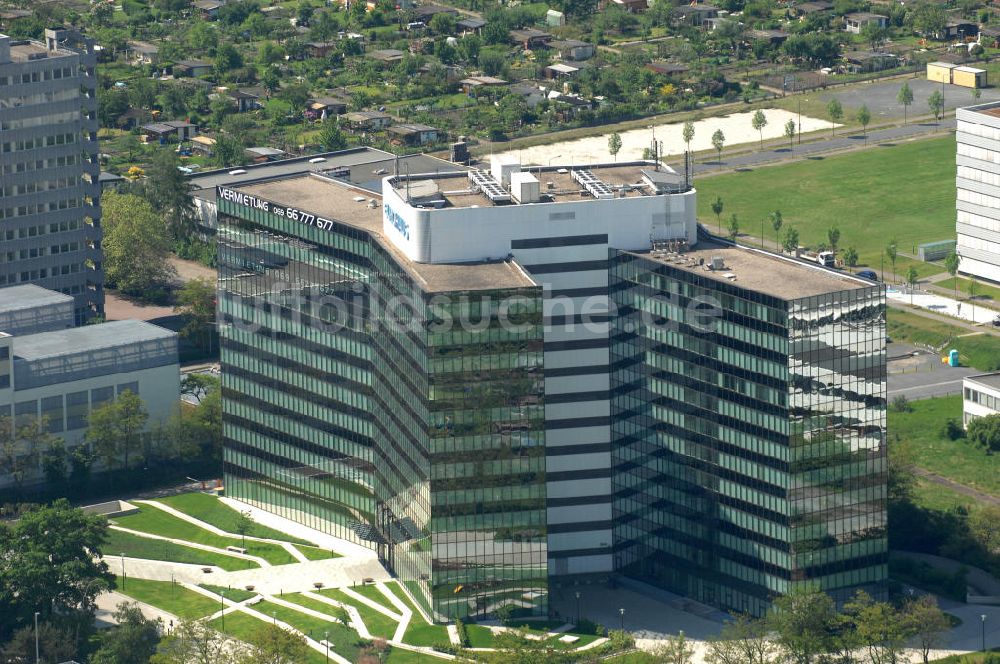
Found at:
(336, 200)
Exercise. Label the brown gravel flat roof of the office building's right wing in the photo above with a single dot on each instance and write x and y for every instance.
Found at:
(760, 271)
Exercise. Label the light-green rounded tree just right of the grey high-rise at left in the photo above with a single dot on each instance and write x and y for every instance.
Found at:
(136, 245)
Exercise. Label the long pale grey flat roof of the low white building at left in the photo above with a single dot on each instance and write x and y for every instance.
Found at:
(87, 338)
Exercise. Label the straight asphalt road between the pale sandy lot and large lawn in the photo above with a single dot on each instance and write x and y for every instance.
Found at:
(877, 138)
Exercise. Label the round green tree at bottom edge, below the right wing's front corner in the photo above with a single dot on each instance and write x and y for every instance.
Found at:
(804, 622)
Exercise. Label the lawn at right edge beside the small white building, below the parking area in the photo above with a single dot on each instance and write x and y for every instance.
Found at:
(957, 460)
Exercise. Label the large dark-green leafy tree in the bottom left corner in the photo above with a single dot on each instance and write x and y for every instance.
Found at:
(50, 565)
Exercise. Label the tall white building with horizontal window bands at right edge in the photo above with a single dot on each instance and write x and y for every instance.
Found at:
(978, 190)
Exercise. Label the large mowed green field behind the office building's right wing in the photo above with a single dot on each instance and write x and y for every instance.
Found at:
(906, 191)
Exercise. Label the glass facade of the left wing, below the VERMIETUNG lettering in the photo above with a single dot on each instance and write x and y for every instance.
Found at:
(361, 405)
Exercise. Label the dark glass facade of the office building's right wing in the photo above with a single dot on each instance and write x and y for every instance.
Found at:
(748, 445)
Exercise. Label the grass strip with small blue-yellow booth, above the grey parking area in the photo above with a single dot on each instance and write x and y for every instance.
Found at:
(980, 351)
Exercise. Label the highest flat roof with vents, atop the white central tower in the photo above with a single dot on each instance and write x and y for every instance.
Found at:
(556, 183)
